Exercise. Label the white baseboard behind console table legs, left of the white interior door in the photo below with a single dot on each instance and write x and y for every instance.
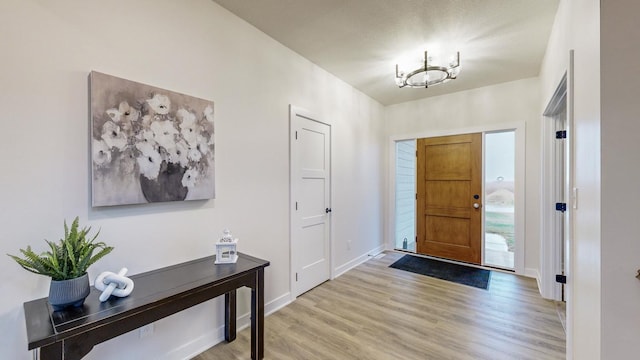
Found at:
(215, 336)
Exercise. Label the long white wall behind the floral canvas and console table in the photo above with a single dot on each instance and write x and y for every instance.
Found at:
(197, 48)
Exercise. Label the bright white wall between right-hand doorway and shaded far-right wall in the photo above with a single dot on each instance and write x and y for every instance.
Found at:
(578, 27)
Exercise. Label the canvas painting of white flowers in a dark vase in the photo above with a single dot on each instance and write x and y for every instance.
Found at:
(149, 144)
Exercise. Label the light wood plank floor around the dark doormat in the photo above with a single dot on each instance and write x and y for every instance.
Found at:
(376, 312)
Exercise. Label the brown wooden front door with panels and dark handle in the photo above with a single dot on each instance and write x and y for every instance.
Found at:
(449, 200)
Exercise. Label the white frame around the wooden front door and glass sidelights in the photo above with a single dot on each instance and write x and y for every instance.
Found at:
(519, 129)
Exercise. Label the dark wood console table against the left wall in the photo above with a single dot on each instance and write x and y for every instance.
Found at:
(70, 334)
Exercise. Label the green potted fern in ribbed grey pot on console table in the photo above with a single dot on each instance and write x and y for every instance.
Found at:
(66, 263)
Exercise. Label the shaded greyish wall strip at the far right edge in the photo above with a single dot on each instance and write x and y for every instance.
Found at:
(620, 87)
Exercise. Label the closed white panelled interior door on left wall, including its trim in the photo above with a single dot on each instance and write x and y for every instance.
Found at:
(310, 160)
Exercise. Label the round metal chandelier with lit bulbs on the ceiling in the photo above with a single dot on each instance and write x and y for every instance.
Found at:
(429, 74)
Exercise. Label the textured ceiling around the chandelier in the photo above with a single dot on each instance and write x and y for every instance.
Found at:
(360, 41)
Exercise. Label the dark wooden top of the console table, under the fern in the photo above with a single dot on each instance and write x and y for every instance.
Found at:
(152, 288)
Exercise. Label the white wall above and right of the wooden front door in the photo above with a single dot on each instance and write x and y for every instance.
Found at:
(516, 101)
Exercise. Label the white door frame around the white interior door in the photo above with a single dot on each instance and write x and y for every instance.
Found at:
(293, 112)
